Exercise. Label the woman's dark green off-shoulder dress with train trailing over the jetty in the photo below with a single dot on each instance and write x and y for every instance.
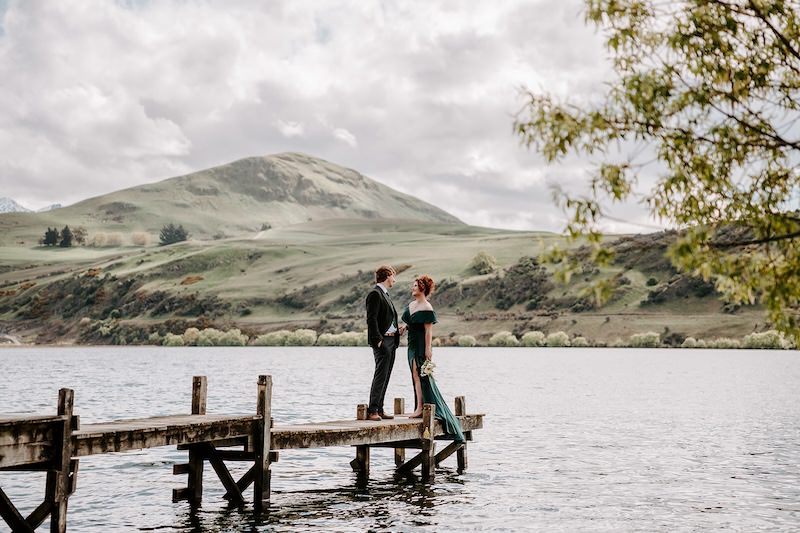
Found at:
(430, 392)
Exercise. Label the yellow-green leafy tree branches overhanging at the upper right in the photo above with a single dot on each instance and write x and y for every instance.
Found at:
(709, 90)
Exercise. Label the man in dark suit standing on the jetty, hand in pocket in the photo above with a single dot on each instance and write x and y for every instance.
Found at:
(383, 334)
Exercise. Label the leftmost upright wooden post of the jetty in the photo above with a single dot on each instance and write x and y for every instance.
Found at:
(59, 485)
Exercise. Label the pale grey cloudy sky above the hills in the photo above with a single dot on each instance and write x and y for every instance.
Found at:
(100, 95)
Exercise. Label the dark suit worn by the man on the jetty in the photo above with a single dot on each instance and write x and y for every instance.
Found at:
(381, 315)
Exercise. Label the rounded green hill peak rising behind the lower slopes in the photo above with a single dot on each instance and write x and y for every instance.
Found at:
(234, 200)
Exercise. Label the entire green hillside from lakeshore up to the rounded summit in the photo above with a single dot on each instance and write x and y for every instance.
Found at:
(290, 241)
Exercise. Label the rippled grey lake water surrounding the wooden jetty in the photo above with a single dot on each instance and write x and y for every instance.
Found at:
(573, 439)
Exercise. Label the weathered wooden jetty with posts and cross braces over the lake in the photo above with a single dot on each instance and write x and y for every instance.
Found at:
(54, 445)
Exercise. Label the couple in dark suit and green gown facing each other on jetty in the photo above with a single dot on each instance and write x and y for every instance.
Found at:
(384, 332)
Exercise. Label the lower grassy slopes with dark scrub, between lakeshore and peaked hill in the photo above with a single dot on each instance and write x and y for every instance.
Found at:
(315, 274)
